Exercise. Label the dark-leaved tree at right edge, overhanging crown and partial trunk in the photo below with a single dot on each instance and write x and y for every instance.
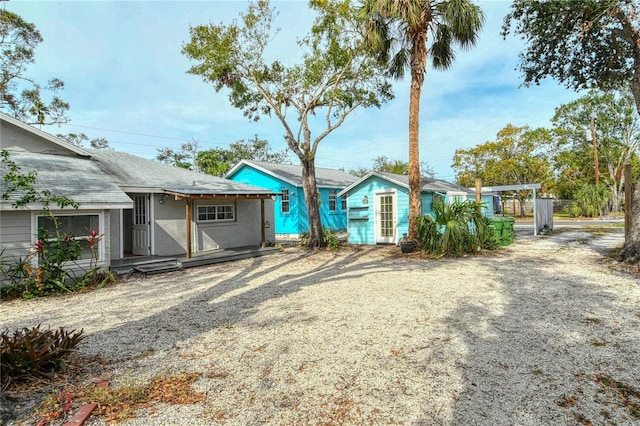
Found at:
(583, 44)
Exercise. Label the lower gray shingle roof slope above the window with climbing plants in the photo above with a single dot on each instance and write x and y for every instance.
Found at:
(77, 178)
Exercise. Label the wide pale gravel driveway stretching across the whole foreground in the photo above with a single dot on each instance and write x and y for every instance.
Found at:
(521, 336)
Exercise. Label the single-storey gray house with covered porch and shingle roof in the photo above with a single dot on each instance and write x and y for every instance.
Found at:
(143, 208)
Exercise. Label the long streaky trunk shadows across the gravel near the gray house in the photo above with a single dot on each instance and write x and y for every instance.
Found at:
(203, 312)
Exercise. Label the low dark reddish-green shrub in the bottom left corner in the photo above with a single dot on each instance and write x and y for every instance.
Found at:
(31, 352)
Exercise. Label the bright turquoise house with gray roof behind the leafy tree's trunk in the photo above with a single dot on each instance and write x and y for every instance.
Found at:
(290, 209)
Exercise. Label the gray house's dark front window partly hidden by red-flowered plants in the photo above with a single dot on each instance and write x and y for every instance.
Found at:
(79, 227)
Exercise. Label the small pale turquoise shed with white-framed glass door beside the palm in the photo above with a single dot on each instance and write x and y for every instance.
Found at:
(378, 205)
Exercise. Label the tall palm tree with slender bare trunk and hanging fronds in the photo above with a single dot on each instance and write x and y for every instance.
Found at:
(399, 32)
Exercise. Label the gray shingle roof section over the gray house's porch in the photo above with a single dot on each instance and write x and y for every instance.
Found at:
(136, 172)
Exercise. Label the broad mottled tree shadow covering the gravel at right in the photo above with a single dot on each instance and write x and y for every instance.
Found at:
(531, 362)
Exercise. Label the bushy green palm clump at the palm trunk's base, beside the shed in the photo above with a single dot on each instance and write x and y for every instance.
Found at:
(454, 229)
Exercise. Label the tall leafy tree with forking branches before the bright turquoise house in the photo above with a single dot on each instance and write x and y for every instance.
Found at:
(335, 76)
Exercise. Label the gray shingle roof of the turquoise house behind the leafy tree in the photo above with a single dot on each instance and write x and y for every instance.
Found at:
(291, 173)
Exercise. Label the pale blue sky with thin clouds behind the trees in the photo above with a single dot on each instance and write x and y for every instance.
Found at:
(125, 79)
